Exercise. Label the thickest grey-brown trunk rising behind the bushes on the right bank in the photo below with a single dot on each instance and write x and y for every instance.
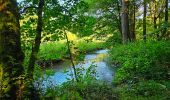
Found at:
(125, 21)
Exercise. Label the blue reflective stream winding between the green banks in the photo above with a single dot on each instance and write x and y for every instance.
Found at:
(63, 70)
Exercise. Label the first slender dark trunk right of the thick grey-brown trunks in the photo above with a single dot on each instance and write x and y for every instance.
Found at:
(144, 21)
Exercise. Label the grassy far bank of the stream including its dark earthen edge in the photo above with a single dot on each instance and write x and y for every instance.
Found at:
(55, 52)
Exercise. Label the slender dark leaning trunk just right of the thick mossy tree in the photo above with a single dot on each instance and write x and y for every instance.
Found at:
(35, 46)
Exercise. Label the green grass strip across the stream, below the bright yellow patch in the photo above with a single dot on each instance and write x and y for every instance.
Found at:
(59, 50)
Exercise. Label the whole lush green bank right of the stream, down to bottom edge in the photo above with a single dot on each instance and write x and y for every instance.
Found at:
(144, 70)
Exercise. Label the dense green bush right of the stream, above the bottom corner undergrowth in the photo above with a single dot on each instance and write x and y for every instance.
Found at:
(142, 61)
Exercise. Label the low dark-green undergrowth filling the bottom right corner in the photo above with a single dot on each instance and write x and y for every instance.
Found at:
(149, 90)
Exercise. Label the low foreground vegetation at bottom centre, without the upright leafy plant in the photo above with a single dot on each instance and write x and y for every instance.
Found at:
(96, 90)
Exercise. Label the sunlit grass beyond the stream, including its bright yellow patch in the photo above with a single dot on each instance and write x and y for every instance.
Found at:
(58, 50)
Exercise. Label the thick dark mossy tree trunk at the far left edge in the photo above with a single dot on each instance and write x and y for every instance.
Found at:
(11, 55)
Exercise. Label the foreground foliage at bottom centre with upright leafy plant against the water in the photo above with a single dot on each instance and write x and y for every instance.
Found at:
(86, 88)
